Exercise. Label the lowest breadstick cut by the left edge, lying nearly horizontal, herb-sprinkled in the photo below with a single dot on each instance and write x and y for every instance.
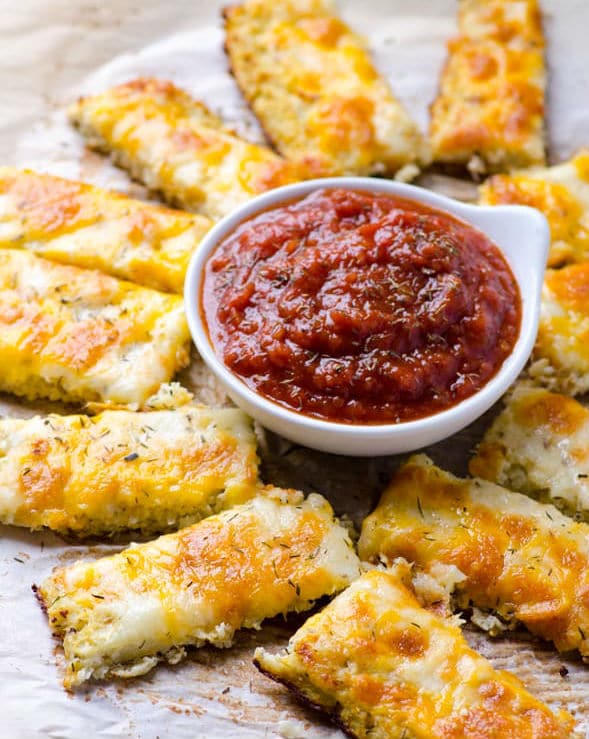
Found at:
(123, 470)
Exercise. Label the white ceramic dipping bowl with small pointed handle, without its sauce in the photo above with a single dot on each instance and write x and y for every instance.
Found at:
(521, 234)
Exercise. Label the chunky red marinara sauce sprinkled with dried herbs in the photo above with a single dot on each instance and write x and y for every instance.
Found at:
(360, 307)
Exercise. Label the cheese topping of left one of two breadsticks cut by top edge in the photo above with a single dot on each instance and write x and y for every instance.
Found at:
(312, 84)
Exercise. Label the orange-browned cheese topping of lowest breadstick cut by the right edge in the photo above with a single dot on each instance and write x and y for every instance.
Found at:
(522, 560)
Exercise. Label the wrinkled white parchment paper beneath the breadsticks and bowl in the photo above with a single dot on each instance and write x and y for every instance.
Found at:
(50, 53)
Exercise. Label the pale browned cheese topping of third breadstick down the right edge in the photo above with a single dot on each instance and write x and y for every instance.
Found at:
(539, 445)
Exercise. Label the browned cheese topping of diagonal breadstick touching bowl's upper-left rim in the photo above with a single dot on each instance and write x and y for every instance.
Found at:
(174, 144)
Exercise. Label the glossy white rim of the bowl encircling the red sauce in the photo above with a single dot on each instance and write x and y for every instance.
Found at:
(471, 407)
